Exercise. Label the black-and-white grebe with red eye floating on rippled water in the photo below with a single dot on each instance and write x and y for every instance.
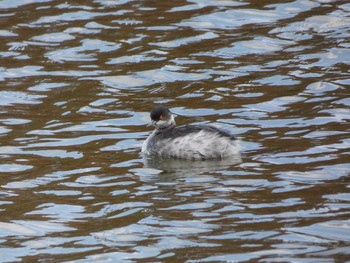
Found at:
(190, 142)
